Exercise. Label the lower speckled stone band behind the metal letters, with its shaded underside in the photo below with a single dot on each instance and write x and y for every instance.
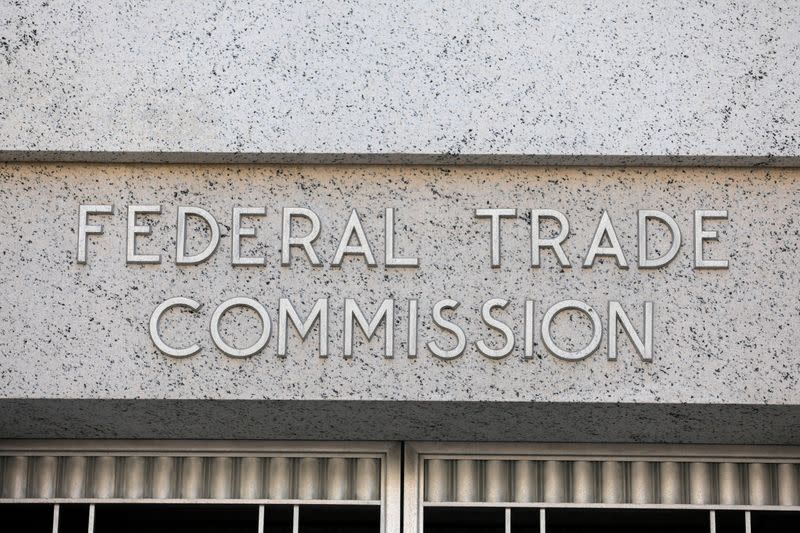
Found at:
(78, 332)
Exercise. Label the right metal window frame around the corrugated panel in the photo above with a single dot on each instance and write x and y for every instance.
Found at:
(416, 453)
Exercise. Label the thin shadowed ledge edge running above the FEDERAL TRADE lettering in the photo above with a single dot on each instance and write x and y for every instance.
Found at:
(305, 158)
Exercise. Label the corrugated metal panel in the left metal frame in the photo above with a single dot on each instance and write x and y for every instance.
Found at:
(80, 477)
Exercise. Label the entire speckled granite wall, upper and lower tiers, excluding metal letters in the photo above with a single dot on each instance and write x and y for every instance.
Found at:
(674, 106)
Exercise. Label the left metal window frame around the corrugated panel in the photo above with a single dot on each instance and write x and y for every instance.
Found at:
(388, 453)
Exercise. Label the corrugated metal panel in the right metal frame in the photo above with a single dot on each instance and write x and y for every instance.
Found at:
(612, 482)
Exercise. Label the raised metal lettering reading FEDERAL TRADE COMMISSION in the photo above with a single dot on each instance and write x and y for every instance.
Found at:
(354, 243)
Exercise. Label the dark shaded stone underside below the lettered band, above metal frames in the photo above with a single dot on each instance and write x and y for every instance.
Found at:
(388, 420)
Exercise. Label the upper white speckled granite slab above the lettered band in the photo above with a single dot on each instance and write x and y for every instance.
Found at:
(553, 82)
